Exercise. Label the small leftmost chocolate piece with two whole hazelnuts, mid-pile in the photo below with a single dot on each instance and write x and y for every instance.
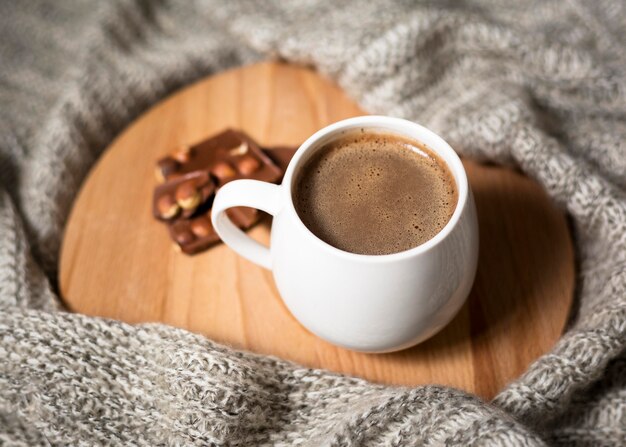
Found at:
(182, 196)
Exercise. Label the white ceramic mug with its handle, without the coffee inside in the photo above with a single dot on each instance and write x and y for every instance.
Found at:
(361, 302)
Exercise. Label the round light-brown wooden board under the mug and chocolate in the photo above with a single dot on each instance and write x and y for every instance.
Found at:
(118, 262)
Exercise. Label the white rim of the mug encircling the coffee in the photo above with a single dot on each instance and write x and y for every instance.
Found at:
(450, 158)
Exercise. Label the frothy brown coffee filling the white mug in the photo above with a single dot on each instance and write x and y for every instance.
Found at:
(374, 193)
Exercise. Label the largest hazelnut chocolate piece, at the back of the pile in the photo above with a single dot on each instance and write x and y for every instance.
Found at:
(227, 156)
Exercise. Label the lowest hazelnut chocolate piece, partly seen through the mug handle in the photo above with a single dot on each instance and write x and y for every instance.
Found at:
(196, 234)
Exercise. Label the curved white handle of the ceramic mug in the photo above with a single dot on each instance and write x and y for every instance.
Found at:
(251, 193)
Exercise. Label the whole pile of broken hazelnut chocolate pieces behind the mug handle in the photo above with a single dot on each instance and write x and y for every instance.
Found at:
(190, 176)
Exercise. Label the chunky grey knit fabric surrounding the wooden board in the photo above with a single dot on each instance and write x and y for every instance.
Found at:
(540, 85)
